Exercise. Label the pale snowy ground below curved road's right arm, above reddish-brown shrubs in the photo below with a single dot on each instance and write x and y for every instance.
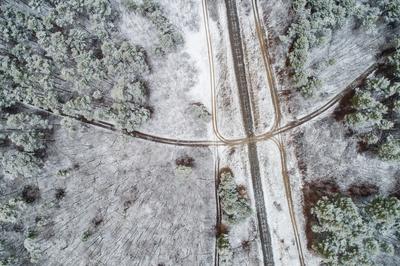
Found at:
(342, 163)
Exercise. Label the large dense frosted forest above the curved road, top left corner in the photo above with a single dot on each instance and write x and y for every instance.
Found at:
(61, 52)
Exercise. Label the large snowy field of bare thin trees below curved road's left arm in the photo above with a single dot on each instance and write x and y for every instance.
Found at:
(150, 215)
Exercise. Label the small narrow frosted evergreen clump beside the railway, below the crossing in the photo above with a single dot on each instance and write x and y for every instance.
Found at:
(235, 205)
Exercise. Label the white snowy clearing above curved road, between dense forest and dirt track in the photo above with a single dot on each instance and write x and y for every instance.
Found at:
(180, 79)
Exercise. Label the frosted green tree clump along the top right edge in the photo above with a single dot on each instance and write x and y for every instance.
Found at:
(315, 20)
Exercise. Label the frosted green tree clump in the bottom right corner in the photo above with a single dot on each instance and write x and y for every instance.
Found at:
(346, 234)
